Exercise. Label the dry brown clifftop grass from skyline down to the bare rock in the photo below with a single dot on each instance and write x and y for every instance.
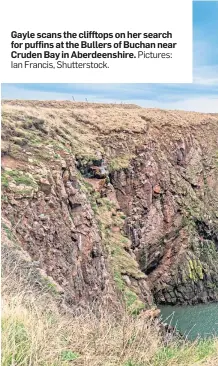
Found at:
(109, 128)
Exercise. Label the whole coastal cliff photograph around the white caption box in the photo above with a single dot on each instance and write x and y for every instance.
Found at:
(109, 216)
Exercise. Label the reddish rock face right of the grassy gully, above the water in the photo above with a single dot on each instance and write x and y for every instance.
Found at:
(169, 194)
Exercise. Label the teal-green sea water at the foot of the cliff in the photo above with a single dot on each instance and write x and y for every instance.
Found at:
(193, 321)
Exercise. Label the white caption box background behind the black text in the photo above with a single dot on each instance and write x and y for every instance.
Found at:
(102, 16)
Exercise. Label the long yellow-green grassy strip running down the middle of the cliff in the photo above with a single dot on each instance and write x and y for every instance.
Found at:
(122, 263)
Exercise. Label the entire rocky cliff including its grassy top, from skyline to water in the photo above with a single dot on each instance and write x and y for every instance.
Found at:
(117, 203)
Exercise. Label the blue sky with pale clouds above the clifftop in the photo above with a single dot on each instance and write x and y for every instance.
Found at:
(201, 95)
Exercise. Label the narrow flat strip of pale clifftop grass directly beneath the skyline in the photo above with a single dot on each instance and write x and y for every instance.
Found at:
(109, 117)
